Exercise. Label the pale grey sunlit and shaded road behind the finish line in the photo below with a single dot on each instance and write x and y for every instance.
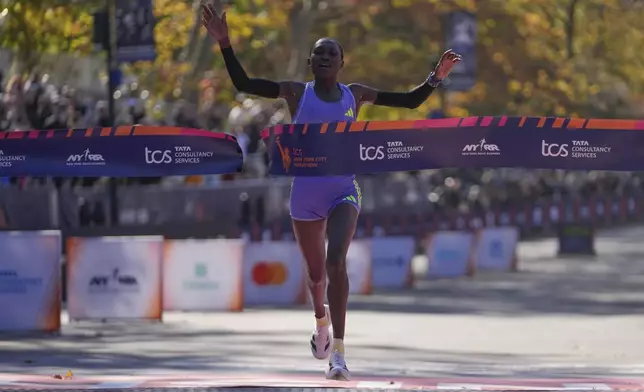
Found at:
(573, 318)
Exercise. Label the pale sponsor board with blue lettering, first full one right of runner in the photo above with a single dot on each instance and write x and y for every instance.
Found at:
(391, 261)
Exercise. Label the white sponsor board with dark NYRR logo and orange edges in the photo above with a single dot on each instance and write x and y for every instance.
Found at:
(114, 277)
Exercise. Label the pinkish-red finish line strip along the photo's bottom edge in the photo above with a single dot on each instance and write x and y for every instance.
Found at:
(300, 382)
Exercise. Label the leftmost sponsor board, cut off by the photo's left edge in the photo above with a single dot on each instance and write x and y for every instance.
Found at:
(30, 282)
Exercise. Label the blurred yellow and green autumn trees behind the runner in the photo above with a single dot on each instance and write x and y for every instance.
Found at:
(546, 57)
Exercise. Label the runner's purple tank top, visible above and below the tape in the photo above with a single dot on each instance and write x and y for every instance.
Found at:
(313, 110)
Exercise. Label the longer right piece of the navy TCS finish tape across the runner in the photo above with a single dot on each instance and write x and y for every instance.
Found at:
(342, 148)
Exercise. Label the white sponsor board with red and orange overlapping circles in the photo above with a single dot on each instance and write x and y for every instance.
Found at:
(274, 274)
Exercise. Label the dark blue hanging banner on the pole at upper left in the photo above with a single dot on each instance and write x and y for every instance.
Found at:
(135, 23)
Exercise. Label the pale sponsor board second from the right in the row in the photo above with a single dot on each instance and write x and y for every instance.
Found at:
(449, 254)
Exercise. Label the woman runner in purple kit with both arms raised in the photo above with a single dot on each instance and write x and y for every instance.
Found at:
(323, 206)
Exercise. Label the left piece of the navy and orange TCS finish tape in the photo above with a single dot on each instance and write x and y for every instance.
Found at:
(133, 151)
